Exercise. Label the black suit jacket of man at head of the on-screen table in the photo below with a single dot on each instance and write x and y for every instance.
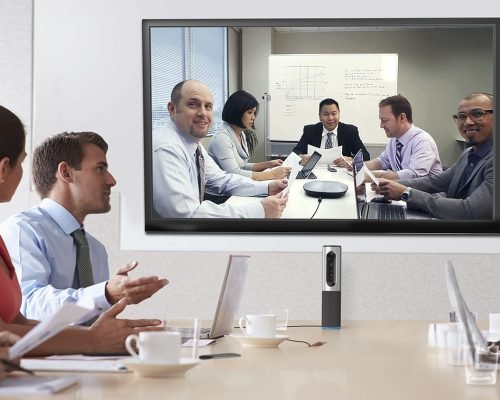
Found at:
(348, 138)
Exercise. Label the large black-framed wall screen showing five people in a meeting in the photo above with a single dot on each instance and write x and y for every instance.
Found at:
(349, 126)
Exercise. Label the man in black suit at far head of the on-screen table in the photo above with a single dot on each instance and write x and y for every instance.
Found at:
(330, 133)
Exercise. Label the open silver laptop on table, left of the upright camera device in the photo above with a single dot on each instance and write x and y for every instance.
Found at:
(229, 300)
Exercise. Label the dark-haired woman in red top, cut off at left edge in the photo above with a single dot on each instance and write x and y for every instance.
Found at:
(107, 334)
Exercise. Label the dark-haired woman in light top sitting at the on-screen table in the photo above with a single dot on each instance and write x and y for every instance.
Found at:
(235, 141)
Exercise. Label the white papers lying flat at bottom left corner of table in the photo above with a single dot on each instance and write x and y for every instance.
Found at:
(35, 385)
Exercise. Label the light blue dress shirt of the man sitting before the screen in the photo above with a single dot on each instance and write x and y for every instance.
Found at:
(45, 266)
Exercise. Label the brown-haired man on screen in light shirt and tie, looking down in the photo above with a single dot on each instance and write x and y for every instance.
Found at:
(411, 152)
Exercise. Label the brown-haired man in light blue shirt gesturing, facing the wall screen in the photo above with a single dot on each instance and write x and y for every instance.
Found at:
(57, 261)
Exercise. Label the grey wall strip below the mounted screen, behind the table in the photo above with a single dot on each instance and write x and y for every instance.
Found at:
(376, 286)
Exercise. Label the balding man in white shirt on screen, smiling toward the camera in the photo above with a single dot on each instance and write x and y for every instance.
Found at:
(180, 173)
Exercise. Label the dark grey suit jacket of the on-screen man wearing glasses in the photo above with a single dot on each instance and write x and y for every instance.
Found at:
(473, 200)
